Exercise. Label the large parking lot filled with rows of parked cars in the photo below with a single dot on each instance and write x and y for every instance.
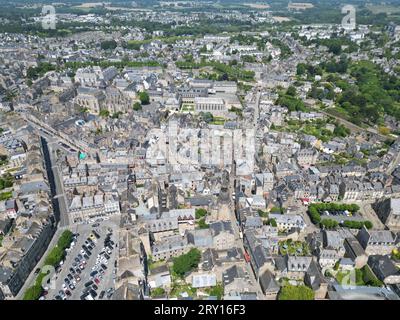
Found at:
(89, 269)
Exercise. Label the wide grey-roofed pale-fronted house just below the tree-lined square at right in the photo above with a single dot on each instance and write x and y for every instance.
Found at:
(376, 241)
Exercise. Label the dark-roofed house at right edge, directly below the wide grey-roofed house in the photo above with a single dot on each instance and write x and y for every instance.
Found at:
(384, 269)
